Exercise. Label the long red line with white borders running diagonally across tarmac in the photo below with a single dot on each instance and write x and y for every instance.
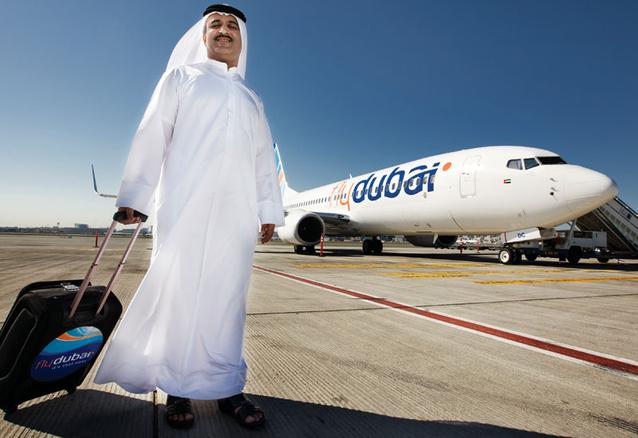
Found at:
(618, 365)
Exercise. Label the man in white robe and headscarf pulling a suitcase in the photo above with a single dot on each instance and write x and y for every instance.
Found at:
(204, 150)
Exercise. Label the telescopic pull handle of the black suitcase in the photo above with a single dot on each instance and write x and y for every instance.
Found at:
(120, 215)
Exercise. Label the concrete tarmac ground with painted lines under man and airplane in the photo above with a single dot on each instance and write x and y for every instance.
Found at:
(416, 342)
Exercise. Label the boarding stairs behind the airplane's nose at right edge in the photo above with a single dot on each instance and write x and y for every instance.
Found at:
(619, 221)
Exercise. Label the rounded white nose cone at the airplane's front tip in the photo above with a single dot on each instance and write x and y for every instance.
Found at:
(586, 190)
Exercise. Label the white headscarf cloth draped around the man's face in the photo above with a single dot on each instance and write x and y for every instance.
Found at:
(191, 49)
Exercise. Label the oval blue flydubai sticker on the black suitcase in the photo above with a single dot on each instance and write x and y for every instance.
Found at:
(67, 353)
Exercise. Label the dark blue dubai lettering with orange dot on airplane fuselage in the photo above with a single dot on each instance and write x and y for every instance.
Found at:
(391, 184)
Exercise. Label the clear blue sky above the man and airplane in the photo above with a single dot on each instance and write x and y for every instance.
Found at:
(348, 87)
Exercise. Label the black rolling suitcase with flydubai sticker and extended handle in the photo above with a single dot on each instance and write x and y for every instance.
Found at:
(55, 331)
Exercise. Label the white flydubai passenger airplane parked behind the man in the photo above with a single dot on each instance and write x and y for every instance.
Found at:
(431, 201)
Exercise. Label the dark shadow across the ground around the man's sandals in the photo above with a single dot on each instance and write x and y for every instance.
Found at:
(91, 413)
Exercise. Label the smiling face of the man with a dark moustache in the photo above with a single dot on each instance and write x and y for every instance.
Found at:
(223, 38)
